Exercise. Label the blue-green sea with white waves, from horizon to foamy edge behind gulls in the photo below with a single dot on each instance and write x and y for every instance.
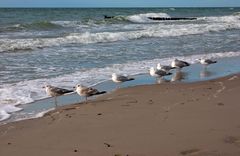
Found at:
(64, 47)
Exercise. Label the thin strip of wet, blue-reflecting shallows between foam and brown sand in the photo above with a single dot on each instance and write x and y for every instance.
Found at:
(194, 73)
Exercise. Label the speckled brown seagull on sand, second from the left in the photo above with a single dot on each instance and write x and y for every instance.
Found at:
(87, 91)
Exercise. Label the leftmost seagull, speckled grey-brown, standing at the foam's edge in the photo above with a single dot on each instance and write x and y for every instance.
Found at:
(55, 91)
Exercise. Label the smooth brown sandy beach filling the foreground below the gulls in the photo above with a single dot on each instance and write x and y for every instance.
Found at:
(197, 119)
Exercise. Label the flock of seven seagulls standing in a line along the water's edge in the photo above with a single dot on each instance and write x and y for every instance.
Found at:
(160, 71)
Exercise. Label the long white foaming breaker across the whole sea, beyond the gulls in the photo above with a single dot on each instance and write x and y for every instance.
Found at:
(150, 31)
